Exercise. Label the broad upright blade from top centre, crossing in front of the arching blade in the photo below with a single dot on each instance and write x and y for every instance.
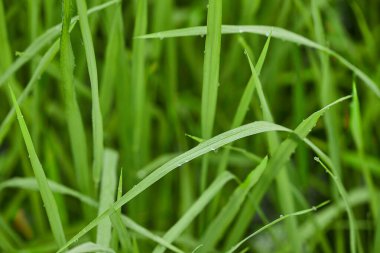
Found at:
(210, 83)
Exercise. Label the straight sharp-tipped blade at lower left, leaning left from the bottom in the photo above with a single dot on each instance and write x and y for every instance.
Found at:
(45, 191)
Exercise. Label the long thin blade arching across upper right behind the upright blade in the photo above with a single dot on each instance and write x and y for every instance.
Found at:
(276, 32)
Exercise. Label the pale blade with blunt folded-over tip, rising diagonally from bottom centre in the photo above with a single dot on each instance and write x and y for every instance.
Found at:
(175, 231)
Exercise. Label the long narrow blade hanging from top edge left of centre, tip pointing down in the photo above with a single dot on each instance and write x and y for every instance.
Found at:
(97, 123)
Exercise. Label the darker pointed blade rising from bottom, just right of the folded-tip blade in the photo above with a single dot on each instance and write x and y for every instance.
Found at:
(219, 225)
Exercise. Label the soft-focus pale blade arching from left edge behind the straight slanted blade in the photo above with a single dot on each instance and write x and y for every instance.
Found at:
(31, 184)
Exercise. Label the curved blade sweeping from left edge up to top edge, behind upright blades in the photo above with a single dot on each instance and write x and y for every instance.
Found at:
(44, 40)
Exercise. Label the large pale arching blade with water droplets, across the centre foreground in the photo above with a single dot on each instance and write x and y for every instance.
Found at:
(203, 148)
